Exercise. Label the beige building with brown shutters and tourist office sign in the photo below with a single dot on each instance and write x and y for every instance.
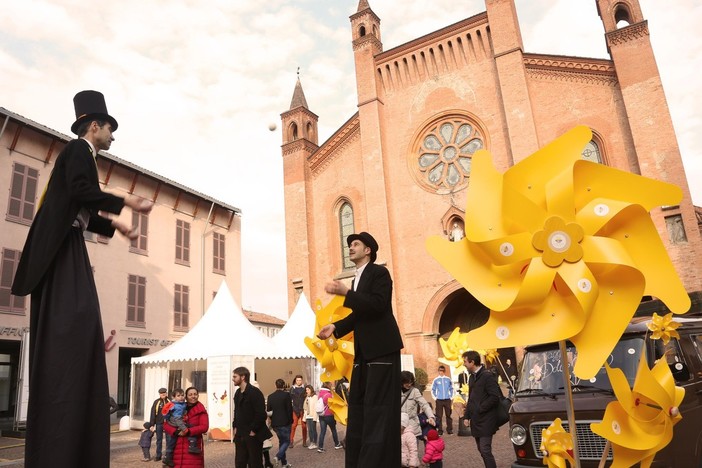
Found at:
(152, 291)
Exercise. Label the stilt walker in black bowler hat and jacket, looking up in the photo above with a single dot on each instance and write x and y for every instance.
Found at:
(373, 433)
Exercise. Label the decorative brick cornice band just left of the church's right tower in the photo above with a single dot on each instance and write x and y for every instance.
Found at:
(563, 69)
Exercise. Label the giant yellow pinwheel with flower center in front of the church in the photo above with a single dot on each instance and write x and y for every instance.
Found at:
(561, 248)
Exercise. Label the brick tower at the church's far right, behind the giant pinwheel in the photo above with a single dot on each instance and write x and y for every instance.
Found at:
(652, 133)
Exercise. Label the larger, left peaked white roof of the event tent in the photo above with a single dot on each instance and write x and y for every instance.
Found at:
(222, 331)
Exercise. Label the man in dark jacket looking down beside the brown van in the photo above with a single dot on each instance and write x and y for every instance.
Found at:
(481, 409)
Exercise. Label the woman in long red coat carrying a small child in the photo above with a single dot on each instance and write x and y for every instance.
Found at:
(198, 423)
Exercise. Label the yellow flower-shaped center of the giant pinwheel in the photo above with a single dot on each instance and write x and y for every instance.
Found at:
(559, 241)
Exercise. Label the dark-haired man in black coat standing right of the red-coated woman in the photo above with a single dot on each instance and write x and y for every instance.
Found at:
(249, 423)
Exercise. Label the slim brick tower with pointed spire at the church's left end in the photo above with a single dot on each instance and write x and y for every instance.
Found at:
(300, 140)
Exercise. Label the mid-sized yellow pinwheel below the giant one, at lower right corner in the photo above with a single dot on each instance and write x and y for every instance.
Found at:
(640, 422)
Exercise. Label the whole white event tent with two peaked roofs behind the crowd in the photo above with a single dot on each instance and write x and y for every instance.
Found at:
(205, 357)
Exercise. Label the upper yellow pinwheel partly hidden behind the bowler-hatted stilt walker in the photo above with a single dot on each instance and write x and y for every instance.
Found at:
(335, 356)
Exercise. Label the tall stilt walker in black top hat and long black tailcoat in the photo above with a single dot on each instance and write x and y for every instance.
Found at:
(68, 413)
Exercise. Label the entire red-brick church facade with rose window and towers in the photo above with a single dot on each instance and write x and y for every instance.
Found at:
(399, 167)
